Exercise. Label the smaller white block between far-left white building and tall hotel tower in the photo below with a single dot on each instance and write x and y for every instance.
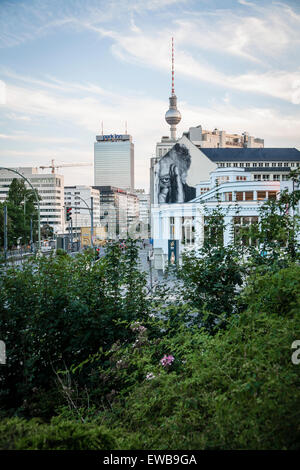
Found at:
(79, 198)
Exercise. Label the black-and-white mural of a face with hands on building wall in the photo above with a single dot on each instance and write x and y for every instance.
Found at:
(172, 173)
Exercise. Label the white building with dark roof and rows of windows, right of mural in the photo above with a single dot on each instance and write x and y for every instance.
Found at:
(237, 188)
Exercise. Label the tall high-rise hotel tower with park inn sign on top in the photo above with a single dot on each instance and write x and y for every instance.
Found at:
(114, 161)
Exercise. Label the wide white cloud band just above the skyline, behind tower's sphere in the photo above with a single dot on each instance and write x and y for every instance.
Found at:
(87, 109)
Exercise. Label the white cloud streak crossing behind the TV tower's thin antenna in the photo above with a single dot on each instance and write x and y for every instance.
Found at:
(155, 52)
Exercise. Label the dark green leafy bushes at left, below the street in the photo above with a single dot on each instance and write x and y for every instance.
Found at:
(56, 312)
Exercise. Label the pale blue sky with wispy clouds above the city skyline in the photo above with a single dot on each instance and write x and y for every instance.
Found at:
(67, 66)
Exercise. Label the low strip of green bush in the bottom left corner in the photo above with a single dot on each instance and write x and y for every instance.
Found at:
(18, 434)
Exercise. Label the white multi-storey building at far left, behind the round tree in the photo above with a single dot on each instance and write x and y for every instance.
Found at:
(50, 187)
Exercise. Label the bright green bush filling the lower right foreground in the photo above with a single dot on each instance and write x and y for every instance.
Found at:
(236, 390)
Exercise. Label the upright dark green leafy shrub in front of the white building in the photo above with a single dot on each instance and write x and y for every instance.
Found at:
(210, 275)
